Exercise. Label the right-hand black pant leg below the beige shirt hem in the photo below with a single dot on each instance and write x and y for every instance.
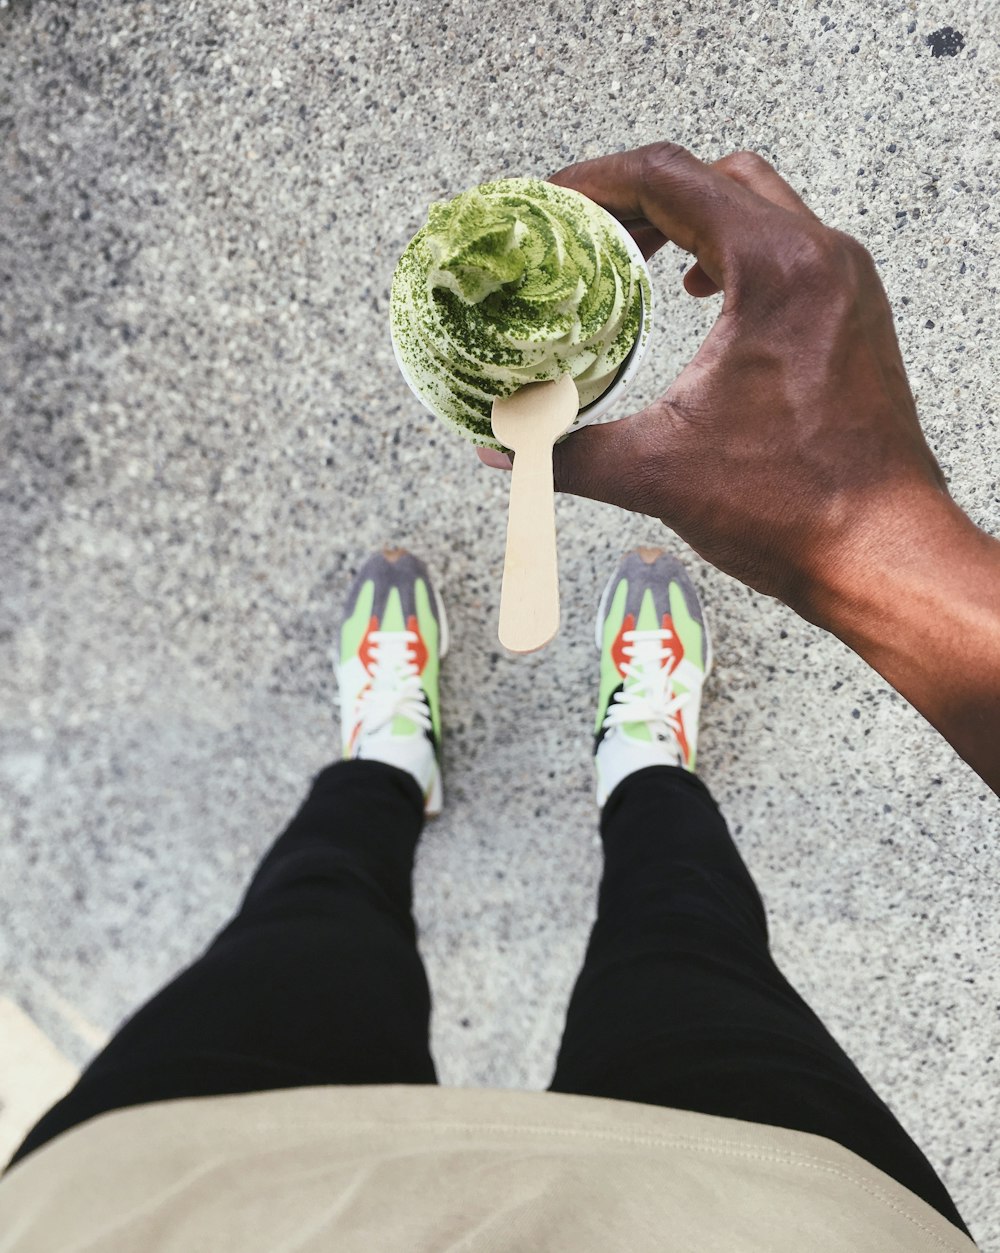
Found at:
(680, 1003)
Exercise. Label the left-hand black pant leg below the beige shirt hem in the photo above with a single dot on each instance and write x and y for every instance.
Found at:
(318, 980)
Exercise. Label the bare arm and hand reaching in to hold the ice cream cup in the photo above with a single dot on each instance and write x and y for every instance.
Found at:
(789, 452)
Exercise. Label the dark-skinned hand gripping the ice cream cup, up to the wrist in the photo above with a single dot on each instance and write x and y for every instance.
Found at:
(791, 443)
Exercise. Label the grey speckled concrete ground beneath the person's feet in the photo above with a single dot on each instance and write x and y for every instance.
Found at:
(205, 433)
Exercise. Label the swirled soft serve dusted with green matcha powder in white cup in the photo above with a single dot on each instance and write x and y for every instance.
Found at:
(513, 283)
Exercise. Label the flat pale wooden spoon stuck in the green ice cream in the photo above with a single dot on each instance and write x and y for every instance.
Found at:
(529, 423)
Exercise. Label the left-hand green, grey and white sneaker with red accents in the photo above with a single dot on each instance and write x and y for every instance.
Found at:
(392, 642)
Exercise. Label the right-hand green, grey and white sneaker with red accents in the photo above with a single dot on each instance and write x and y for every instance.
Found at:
(655, 657)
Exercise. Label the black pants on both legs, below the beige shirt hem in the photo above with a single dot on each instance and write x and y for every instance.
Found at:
(318, 980)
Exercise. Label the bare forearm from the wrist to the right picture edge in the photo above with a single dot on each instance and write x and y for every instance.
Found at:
(922, 606)
